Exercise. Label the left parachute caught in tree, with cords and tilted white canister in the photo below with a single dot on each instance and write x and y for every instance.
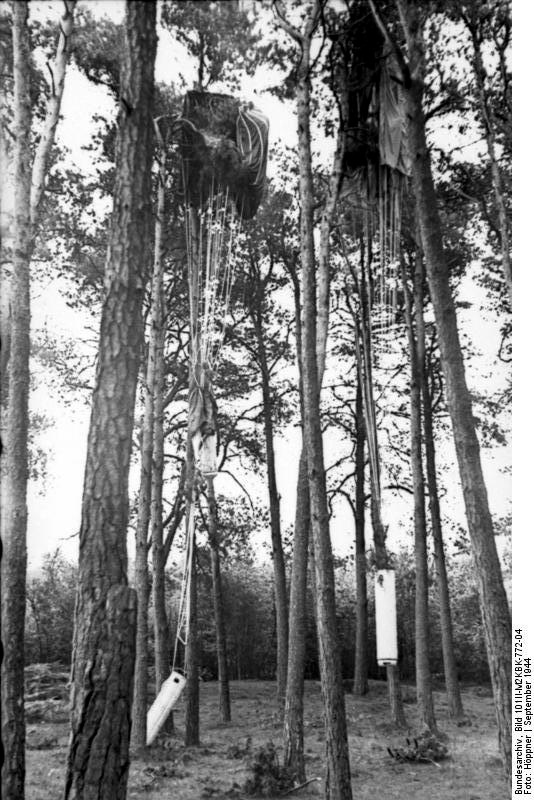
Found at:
(223, 146)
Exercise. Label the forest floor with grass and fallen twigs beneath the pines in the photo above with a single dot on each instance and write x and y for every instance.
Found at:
(220, 766)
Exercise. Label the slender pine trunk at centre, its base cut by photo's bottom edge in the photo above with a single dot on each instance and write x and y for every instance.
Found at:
(338, 784)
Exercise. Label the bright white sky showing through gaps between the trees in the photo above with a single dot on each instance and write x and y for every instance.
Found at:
(54, 511)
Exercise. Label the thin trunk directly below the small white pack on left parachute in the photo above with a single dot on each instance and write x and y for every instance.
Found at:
(218, 606)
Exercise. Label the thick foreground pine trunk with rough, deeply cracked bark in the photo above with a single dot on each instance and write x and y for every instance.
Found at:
(104, 638)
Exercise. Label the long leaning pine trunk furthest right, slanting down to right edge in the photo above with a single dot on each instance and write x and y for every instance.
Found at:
(493, 602)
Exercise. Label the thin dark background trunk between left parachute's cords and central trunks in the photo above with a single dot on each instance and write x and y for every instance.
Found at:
(279, 568)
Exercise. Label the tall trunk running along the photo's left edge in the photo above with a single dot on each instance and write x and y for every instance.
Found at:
(15, 457)
